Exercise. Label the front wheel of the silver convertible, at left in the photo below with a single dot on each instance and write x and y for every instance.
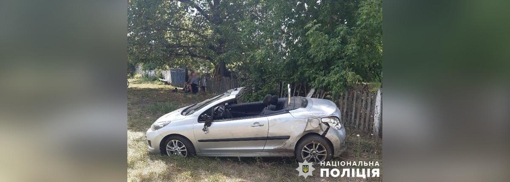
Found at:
(179, 146)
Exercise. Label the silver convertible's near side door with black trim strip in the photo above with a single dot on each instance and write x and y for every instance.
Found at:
(232, 137)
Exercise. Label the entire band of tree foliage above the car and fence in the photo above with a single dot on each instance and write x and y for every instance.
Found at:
(327, 44)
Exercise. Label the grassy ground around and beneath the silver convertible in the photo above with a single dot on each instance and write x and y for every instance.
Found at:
(147, 101)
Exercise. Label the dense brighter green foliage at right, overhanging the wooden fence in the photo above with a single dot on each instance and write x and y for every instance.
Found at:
(330, 45)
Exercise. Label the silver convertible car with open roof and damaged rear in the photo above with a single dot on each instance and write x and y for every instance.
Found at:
(307, 128)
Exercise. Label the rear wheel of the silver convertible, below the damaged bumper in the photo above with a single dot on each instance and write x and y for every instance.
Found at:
(313, 148)
